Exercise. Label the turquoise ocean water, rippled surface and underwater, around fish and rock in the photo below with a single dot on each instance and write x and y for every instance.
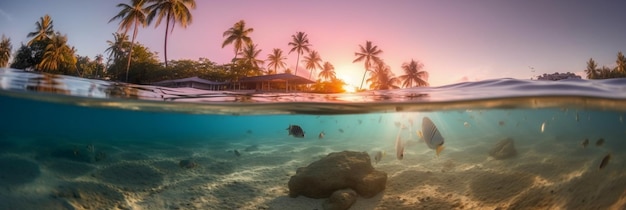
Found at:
(73, 143)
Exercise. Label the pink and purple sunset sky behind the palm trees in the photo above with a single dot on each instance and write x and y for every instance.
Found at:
(456, 40)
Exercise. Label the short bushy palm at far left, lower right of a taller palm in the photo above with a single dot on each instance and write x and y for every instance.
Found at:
(57, 53)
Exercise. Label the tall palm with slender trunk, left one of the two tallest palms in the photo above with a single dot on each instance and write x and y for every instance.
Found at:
(131, 16)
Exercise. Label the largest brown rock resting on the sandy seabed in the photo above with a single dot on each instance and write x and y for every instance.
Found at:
(338, 170)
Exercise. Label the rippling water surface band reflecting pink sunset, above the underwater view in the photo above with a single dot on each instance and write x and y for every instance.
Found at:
(607, 94)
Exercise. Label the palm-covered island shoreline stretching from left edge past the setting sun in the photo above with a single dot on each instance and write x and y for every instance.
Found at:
(127, 60)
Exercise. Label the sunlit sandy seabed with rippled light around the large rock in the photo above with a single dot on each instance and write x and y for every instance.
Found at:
(135, 175)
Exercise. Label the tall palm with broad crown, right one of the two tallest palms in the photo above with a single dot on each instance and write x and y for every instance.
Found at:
(174, 11)
